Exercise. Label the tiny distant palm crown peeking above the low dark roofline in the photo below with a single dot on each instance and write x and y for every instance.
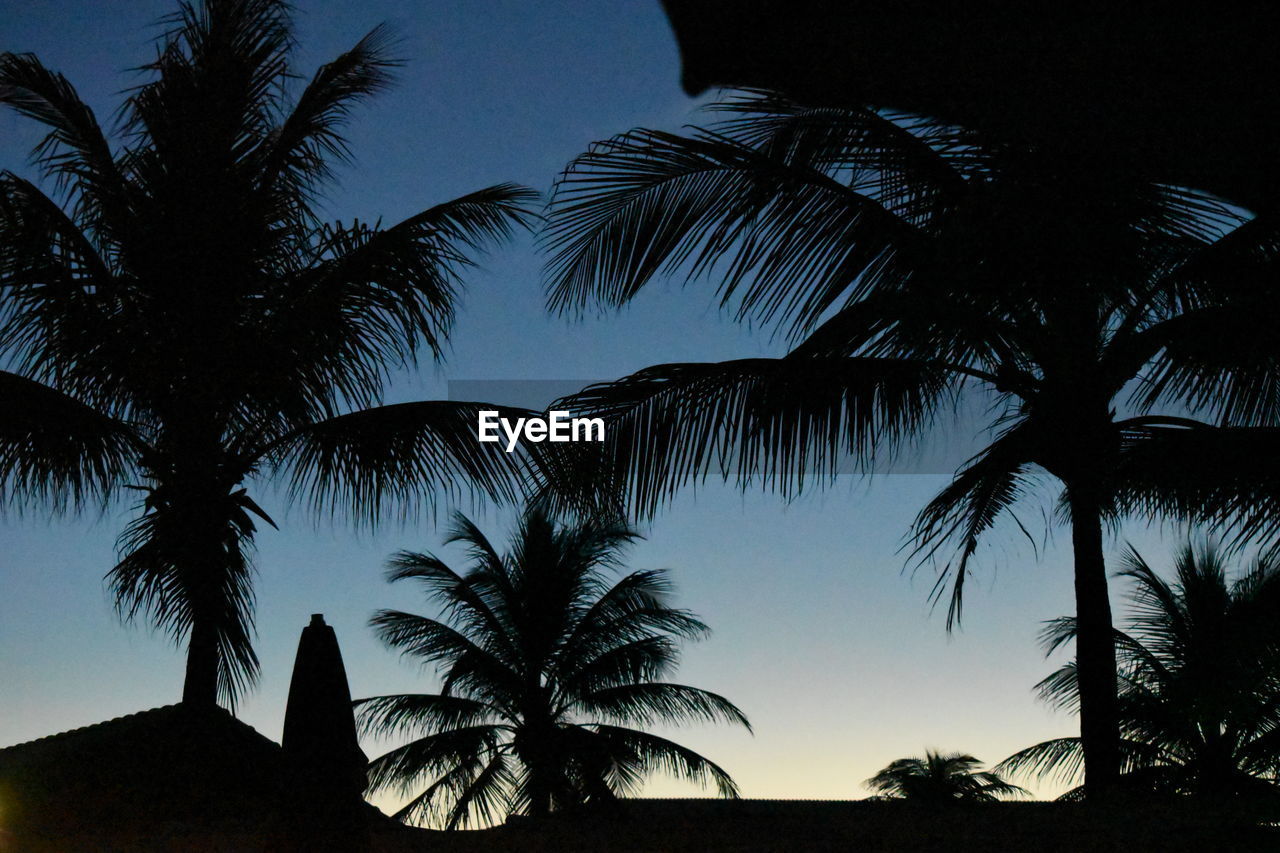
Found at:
(939, 779)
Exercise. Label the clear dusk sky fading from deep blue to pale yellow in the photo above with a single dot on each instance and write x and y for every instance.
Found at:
(821, 633)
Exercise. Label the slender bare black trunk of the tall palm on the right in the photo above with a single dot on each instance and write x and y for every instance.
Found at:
(1095, 645)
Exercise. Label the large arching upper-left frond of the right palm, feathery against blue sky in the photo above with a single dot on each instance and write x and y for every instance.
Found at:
(650, 203)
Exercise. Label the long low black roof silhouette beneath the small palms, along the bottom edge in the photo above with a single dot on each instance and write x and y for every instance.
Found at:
(866, 827)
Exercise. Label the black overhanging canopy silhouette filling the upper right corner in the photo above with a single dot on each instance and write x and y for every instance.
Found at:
(1187, 95)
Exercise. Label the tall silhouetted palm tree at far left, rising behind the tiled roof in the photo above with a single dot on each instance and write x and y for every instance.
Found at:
(179, 320)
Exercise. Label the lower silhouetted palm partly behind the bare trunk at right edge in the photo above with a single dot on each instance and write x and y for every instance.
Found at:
(1200, 683)
